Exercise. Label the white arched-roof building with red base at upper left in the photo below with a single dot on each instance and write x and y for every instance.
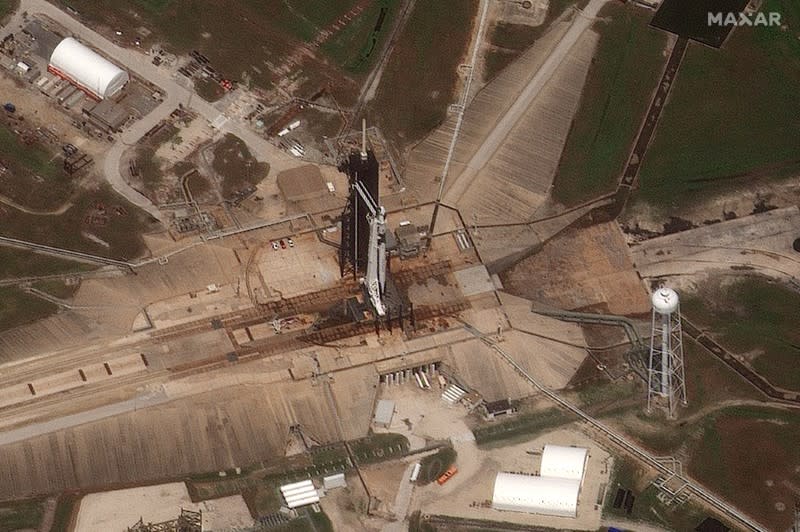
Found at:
(95, 75)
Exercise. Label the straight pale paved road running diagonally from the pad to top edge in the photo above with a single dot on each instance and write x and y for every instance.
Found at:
(504, 126)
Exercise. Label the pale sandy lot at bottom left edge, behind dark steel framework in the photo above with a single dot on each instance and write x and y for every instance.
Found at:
(114, 511)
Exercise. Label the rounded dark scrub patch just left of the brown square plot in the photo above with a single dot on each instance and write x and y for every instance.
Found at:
(236, 165)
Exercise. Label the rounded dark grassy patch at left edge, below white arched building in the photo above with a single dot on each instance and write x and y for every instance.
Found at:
(32, 178)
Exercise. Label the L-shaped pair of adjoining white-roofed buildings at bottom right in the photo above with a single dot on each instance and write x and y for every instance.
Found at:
(555, 492)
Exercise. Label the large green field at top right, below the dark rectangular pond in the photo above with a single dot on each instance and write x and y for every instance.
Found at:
(723, 120)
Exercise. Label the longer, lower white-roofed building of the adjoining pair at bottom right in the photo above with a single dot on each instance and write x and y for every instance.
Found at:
(533, 494)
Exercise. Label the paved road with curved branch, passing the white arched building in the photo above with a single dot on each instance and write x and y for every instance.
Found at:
(174, 94)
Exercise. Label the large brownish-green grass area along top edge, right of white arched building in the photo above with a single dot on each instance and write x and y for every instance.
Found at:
(243, 39)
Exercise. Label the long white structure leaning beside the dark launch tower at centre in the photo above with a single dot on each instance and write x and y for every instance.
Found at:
(375, 280)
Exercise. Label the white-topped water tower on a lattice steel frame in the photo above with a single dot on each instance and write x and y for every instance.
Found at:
(665, 379)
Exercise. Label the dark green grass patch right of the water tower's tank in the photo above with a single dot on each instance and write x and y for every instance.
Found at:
(753, 316)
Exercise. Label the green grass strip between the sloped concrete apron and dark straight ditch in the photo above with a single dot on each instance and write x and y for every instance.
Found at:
(621, 79)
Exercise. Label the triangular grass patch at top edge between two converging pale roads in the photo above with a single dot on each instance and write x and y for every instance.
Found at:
(507, 41)
